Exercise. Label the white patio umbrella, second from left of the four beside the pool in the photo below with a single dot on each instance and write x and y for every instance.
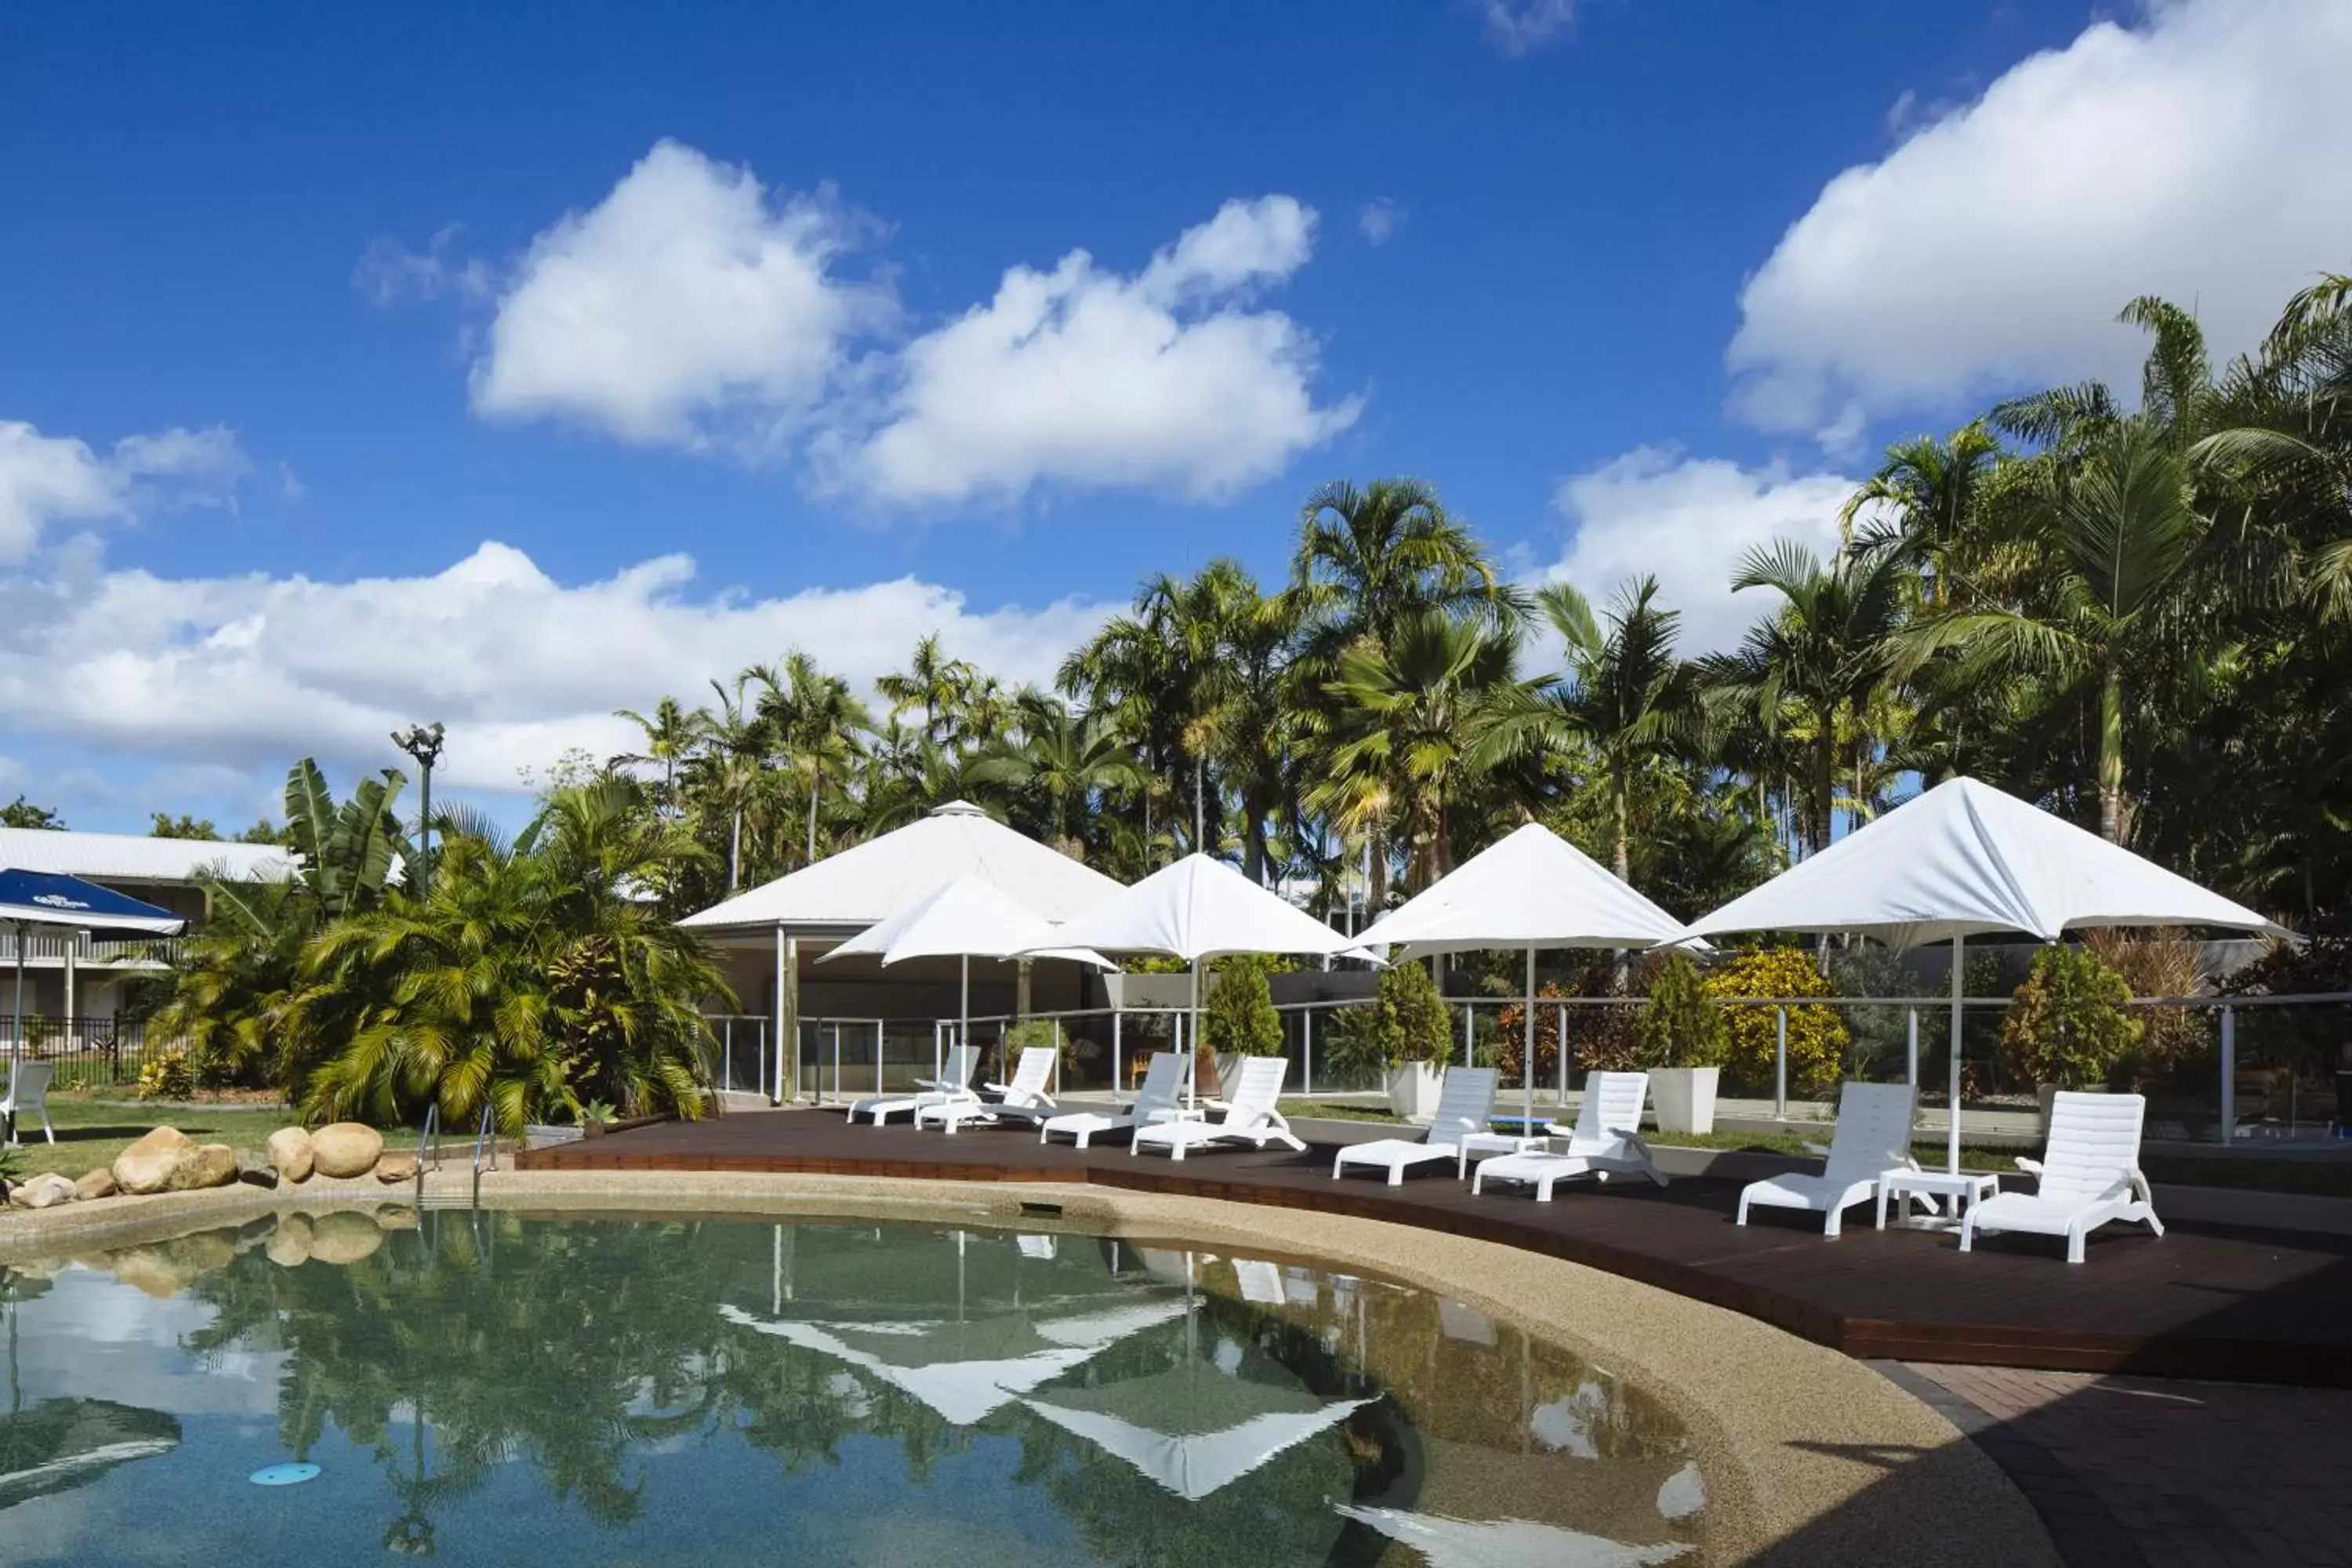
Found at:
(1201, 909)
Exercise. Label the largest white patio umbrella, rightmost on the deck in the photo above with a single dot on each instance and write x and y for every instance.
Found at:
(1963, 862)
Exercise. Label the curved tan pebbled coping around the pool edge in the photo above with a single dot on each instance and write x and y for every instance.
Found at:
(1808, 1456)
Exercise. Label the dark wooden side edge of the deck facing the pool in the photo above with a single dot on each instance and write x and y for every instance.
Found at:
(1862, 1339)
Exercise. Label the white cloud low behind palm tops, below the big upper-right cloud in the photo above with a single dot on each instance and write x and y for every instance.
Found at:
(1690, 523)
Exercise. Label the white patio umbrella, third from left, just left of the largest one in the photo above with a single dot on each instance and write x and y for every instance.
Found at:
(1530, 890)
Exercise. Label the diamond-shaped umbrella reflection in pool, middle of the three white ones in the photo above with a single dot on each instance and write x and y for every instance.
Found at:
(1194, 1430)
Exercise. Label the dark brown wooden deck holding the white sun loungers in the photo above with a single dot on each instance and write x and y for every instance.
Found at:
(2198, 1304)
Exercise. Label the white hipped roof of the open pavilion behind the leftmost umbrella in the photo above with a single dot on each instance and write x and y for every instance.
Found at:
(881, 878)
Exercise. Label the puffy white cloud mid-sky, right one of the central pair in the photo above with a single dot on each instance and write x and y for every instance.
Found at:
(1168, 380)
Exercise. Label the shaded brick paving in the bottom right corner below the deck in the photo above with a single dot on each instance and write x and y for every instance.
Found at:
(2149, 1473)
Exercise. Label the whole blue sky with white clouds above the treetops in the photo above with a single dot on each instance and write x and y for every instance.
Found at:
(509, 368)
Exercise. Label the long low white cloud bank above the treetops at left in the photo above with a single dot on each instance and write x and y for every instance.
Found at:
(253, 671)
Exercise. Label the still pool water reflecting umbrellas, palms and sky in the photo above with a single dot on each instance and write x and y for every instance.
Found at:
(490, 1388)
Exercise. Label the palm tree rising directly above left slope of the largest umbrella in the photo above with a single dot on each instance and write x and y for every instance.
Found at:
(1819, 662)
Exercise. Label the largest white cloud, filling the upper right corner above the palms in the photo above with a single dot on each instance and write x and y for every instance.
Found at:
(2196, 156)
